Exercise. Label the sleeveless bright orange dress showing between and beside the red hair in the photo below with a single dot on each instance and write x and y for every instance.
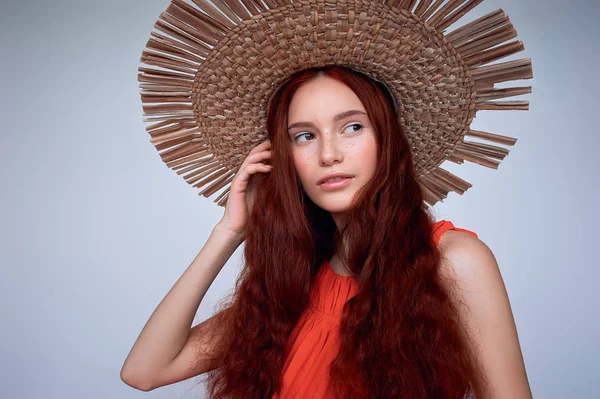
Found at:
(314, 339)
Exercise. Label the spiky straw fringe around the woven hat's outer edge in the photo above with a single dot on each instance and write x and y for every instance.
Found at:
(186, 33)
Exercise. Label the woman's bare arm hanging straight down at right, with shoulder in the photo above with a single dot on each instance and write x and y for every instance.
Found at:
(485, 309)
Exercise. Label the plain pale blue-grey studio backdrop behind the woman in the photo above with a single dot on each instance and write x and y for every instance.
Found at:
(96, 229)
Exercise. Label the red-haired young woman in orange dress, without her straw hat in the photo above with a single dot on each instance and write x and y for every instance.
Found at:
(350, 289)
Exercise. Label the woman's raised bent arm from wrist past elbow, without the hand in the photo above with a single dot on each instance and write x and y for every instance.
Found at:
(167, 350)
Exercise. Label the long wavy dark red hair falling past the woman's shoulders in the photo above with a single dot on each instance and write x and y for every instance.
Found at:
(400, 335)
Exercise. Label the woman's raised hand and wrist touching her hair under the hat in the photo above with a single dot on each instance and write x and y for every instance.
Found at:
(243, 188)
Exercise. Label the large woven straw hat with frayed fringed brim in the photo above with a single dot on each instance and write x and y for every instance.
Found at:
(218, 64)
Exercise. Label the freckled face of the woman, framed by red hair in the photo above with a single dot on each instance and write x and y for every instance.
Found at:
(330, 132)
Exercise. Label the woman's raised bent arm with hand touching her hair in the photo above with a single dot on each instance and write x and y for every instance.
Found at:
(168, 350)
